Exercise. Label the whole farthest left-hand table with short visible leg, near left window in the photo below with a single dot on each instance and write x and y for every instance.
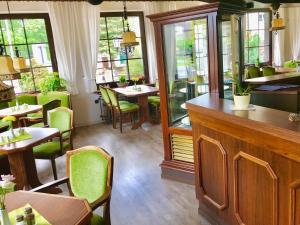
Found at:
(20, 111)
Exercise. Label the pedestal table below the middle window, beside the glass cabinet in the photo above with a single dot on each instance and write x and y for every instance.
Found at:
(141, 92)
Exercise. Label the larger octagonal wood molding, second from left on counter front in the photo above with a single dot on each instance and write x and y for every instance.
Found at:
(273, 176)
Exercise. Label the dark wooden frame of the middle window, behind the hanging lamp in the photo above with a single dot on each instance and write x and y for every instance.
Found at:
(139, 14)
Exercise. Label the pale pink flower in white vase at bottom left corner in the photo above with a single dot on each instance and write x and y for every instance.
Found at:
(6, 186)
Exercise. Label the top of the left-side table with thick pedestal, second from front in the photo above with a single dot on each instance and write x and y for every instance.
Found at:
(39, 135)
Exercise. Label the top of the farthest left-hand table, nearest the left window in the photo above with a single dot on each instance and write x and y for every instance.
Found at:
(21, 112)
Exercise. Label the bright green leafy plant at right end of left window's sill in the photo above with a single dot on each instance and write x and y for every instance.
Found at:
(52, 82)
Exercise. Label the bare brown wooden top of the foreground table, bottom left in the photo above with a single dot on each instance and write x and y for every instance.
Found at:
(56, 209)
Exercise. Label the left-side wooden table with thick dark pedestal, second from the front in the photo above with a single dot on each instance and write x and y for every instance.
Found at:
(20, 155)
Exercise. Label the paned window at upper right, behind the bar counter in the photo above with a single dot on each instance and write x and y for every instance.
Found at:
(258, 39)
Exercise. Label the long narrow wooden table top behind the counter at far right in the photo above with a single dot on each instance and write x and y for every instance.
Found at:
(274, 78)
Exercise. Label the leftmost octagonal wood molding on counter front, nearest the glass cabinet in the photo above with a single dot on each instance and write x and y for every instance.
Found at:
(223, 205)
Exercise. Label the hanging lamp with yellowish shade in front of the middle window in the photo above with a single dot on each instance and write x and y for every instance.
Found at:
(128, 37)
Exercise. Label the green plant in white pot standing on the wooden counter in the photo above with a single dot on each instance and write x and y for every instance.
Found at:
(241, 94)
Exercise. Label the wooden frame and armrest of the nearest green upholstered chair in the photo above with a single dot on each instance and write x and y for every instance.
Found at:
(104, 200)
